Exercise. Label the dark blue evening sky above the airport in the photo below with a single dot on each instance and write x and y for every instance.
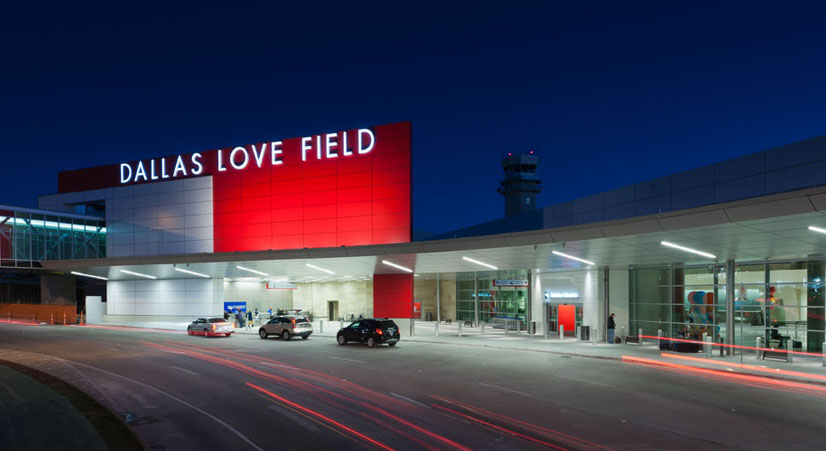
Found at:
(609, 94)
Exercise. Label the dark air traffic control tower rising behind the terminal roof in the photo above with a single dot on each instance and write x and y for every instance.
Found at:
(521, 184)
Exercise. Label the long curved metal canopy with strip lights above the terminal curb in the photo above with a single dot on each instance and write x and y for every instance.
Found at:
(769, 227)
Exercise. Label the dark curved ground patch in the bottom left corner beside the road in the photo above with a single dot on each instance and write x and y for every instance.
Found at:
(35, 417)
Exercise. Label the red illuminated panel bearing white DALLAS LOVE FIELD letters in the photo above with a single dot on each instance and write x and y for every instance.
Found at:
(337, 189)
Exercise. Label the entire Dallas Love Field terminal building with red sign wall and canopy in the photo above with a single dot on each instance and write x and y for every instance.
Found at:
(323, 223)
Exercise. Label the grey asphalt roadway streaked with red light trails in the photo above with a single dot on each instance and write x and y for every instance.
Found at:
(181, 392)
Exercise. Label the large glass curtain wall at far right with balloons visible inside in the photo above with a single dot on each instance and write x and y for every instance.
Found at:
(782, 302)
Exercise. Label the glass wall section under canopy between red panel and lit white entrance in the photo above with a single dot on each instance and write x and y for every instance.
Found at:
(477, 294)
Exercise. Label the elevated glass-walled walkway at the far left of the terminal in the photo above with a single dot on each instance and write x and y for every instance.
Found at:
(28, 237)
